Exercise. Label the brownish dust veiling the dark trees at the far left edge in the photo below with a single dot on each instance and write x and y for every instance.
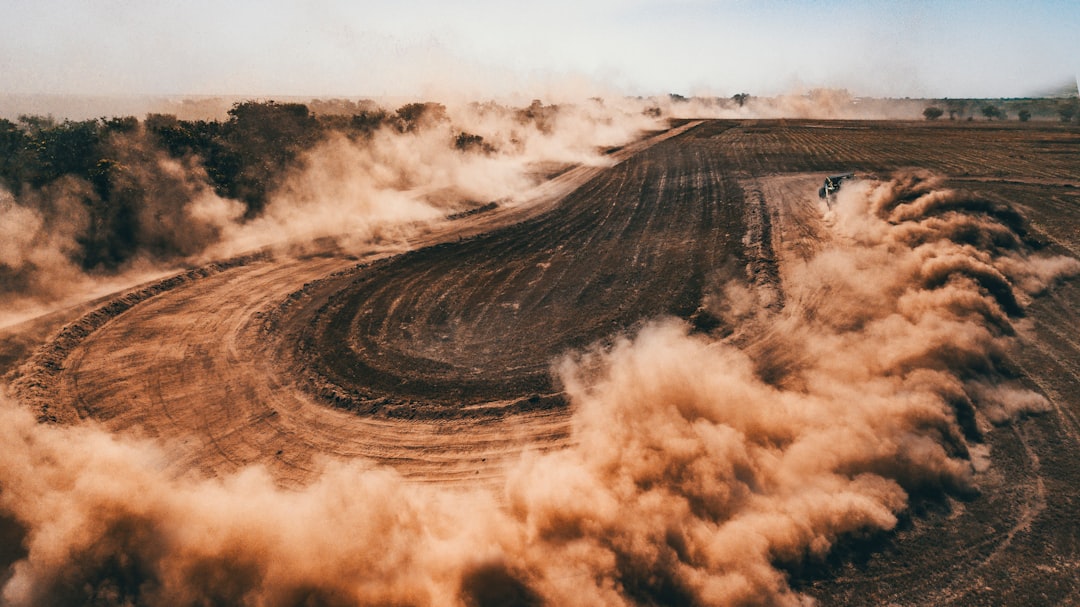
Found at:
(138, 215)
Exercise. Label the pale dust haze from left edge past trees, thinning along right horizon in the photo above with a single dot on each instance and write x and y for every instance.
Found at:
(358, 192)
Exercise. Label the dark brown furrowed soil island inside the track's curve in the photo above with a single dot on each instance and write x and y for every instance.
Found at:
(470, 326)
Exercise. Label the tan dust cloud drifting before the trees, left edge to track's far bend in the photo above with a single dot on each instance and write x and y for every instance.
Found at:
(167, 215)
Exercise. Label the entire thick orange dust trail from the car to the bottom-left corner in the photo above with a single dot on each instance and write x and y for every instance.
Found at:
(703, 473)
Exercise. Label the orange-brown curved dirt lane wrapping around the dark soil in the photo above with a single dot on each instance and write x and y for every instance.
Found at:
(190, 362)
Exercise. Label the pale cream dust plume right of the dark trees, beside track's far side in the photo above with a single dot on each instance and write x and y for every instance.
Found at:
(450, 160)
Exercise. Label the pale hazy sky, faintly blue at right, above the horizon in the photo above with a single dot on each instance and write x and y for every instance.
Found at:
(339, 48)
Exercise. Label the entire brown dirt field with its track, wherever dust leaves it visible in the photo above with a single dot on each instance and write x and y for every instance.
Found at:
(437, 360)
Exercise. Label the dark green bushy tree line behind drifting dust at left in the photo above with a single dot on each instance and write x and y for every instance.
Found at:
(112, 166)
